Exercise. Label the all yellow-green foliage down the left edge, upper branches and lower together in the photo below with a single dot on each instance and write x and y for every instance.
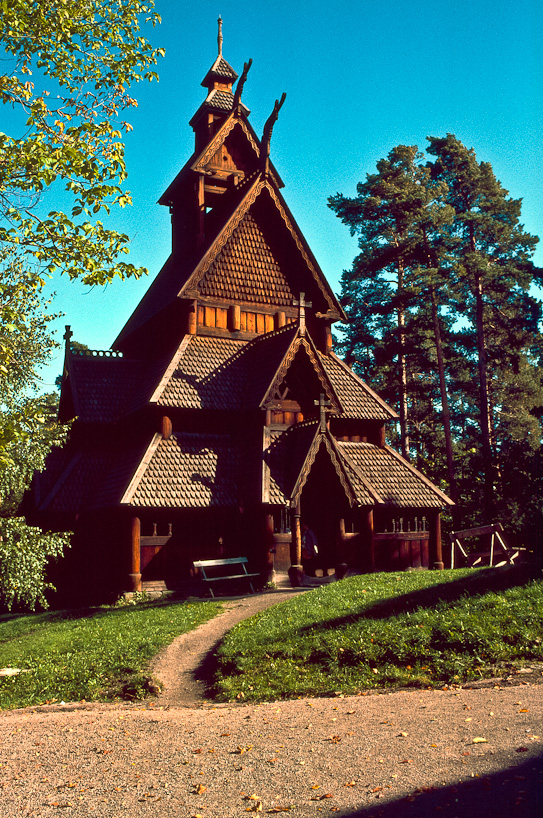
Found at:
(68, 69)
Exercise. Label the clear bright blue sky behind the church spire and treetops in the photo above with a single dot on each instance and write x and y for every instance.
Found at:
(360, 77)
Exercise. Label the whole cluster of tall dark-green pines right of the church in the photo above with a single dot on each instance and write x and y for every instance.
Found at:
(442, 246)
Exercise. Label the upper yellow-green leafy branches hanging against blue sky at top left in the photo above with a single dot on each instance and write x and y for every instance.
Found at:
(71, 64)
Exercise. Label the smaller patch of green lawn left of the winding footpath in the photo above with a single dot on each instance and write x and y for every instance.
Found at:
(95, 655)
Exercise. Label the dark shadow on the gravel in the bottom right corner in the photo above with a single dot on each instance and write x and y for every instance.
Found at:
(516, 792)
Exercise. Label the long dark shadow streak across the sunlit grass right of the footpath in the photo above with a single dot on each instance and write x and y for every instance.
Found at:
(489, 580)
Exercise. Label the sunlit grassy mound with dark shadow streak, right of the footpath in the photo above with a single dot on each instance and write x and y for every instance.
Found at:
(417, 629)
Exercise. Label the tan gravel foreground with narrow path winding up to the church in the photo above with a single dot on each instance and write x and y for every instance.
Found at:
(456, 753)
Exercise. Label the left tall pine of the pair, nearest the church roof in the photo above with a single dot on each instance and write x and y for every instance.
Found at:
(399, 216)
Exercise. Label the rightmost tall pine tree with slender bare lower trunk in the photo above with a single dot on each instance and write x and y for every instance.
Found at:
(492, 271)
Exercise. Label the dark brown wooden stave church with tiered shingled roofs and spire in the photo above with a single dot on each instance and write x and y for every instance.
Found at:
(221, 418)
